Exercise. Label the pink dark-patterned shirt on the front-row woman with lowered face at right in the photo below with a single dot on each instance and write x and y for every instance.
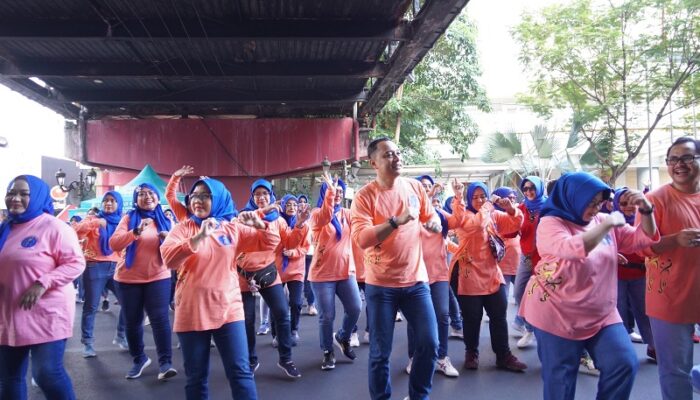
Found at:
(572, 294)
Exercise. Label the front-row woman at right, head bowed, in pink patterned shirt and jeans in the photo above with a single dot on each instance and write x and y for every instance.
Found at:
(570, 300)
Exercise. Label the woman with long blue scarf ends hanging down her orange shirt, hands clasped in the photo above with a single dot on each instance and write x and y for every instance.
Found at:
(144, 280)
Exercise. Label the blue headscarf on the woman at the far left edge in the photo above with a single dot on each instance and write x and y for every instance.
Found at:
(39, 202)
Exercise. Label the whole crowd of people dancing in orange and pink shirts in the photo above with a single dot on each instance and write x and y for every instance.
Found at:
(586, 262)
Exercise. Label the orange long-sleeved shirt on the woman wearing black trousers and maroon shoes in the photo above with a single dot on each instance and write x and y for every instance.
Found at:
(479, 273)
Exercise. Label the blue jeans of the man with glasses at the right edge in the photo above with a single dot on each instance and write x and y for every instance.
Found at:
(674, 354)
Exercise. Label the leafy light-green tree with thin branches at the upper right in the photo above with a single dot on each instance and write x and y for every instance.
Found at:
(607, 61)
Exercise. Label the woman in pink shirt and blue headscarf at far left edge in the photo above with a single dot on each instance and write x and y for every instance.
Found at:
(39, 258)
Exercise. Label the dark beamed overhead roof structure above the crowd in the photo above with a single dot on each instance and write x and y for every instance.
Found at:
(245, 58)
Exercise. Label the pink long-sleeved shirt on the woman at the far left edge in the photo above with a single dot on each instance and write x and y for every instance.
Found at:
(43, 250)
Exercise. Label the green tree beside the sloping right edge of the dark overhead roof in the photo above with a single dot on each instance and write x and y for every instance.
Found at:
(435, 102)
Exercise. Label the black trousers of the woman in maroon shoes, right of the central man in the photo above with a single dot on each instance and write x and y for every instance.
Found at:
(472, 309)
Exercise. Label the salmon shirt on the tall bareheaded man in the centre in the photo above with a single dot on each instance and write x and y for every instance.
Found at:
(398, 260)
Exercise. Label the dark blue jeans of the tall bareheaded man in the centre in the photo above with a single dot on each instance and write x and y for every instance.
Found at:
(382, 305)
